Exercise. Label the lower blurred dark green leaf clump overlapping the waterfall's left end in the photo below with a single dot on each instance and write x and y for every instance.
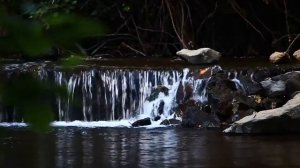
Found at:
(32, 98)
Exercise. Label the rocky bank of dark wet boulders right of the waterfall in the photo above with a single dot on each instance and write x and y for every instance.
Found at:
(225, 97)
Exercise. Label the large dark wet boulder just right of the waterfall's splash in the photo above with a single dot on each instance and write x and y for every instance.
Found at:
(227, 100)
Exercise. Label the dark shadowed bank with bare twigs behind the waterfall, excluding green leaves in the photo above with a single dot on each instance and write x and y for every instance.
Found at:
(150, 28)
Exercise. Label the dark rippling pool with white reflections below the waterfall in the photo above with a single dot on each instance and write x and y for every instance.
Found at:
(160, 147)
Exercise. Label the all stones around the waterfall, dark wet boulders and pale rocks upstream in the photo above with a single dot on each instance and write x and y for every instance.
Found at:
(266, 96)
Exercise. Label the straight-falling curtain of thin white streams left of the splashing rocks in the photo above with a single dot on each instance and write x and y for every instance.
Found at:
(109, 95)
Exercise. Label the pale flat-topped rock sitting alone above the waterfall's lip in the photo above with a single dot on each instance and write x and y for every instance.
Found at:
(200, 56)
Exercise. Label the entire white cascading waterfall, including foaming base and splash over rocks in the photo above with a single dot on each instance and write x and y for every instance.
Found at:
(111, 94)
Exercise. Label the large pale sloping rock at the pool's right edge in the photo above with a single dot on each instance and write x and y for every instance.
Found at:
(285, 119)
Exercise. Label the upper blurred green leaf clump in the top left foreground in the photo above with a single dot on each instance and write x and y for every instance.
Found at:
(37, 37)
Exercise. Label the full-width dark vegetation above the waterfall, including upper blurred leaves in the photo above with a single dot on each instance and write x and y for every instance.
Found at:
(147, 27)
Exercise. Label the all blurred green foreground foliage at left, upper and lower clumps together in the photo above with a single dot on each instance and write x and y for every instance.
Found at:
(34, 31)
